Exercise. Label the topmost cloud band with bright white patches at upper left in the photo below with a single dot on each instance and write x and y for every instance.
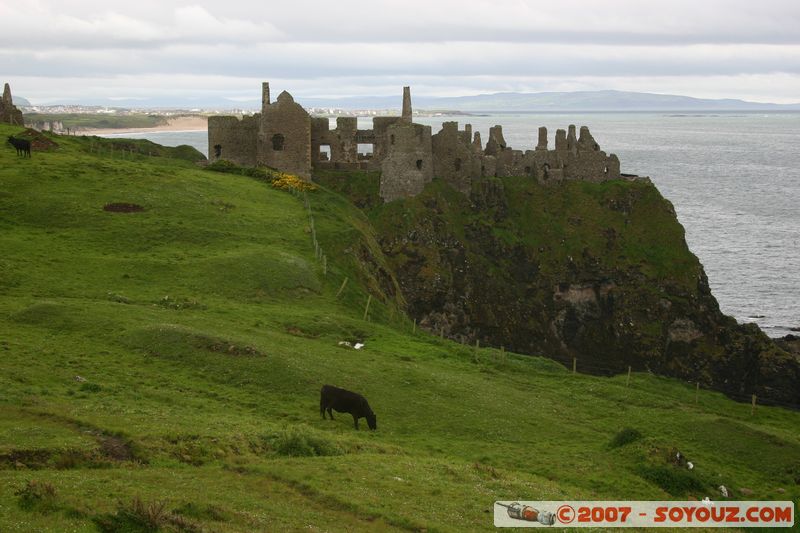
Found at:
(149, 24)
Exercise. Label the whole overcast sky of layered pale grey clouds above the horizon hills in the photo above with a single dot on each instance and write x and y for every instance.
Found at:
(53, 50)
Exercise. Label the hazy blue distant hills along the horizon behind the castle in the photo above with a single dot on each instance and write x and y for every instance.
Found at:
(507, 101)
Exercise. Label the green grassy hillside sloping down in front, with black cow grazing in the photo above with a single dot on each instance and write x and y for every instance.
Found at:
(163, 367)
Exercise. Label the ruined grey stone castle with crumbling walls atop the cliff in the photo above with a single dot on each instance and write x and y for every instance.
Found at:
(285, 137)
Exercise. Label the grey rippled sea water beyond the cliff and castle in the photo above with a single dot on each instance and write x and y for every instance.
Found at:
(734, 179)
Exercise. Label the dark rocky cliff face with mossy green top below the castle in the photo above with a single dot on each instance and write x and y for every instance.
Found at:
(596, 271)
